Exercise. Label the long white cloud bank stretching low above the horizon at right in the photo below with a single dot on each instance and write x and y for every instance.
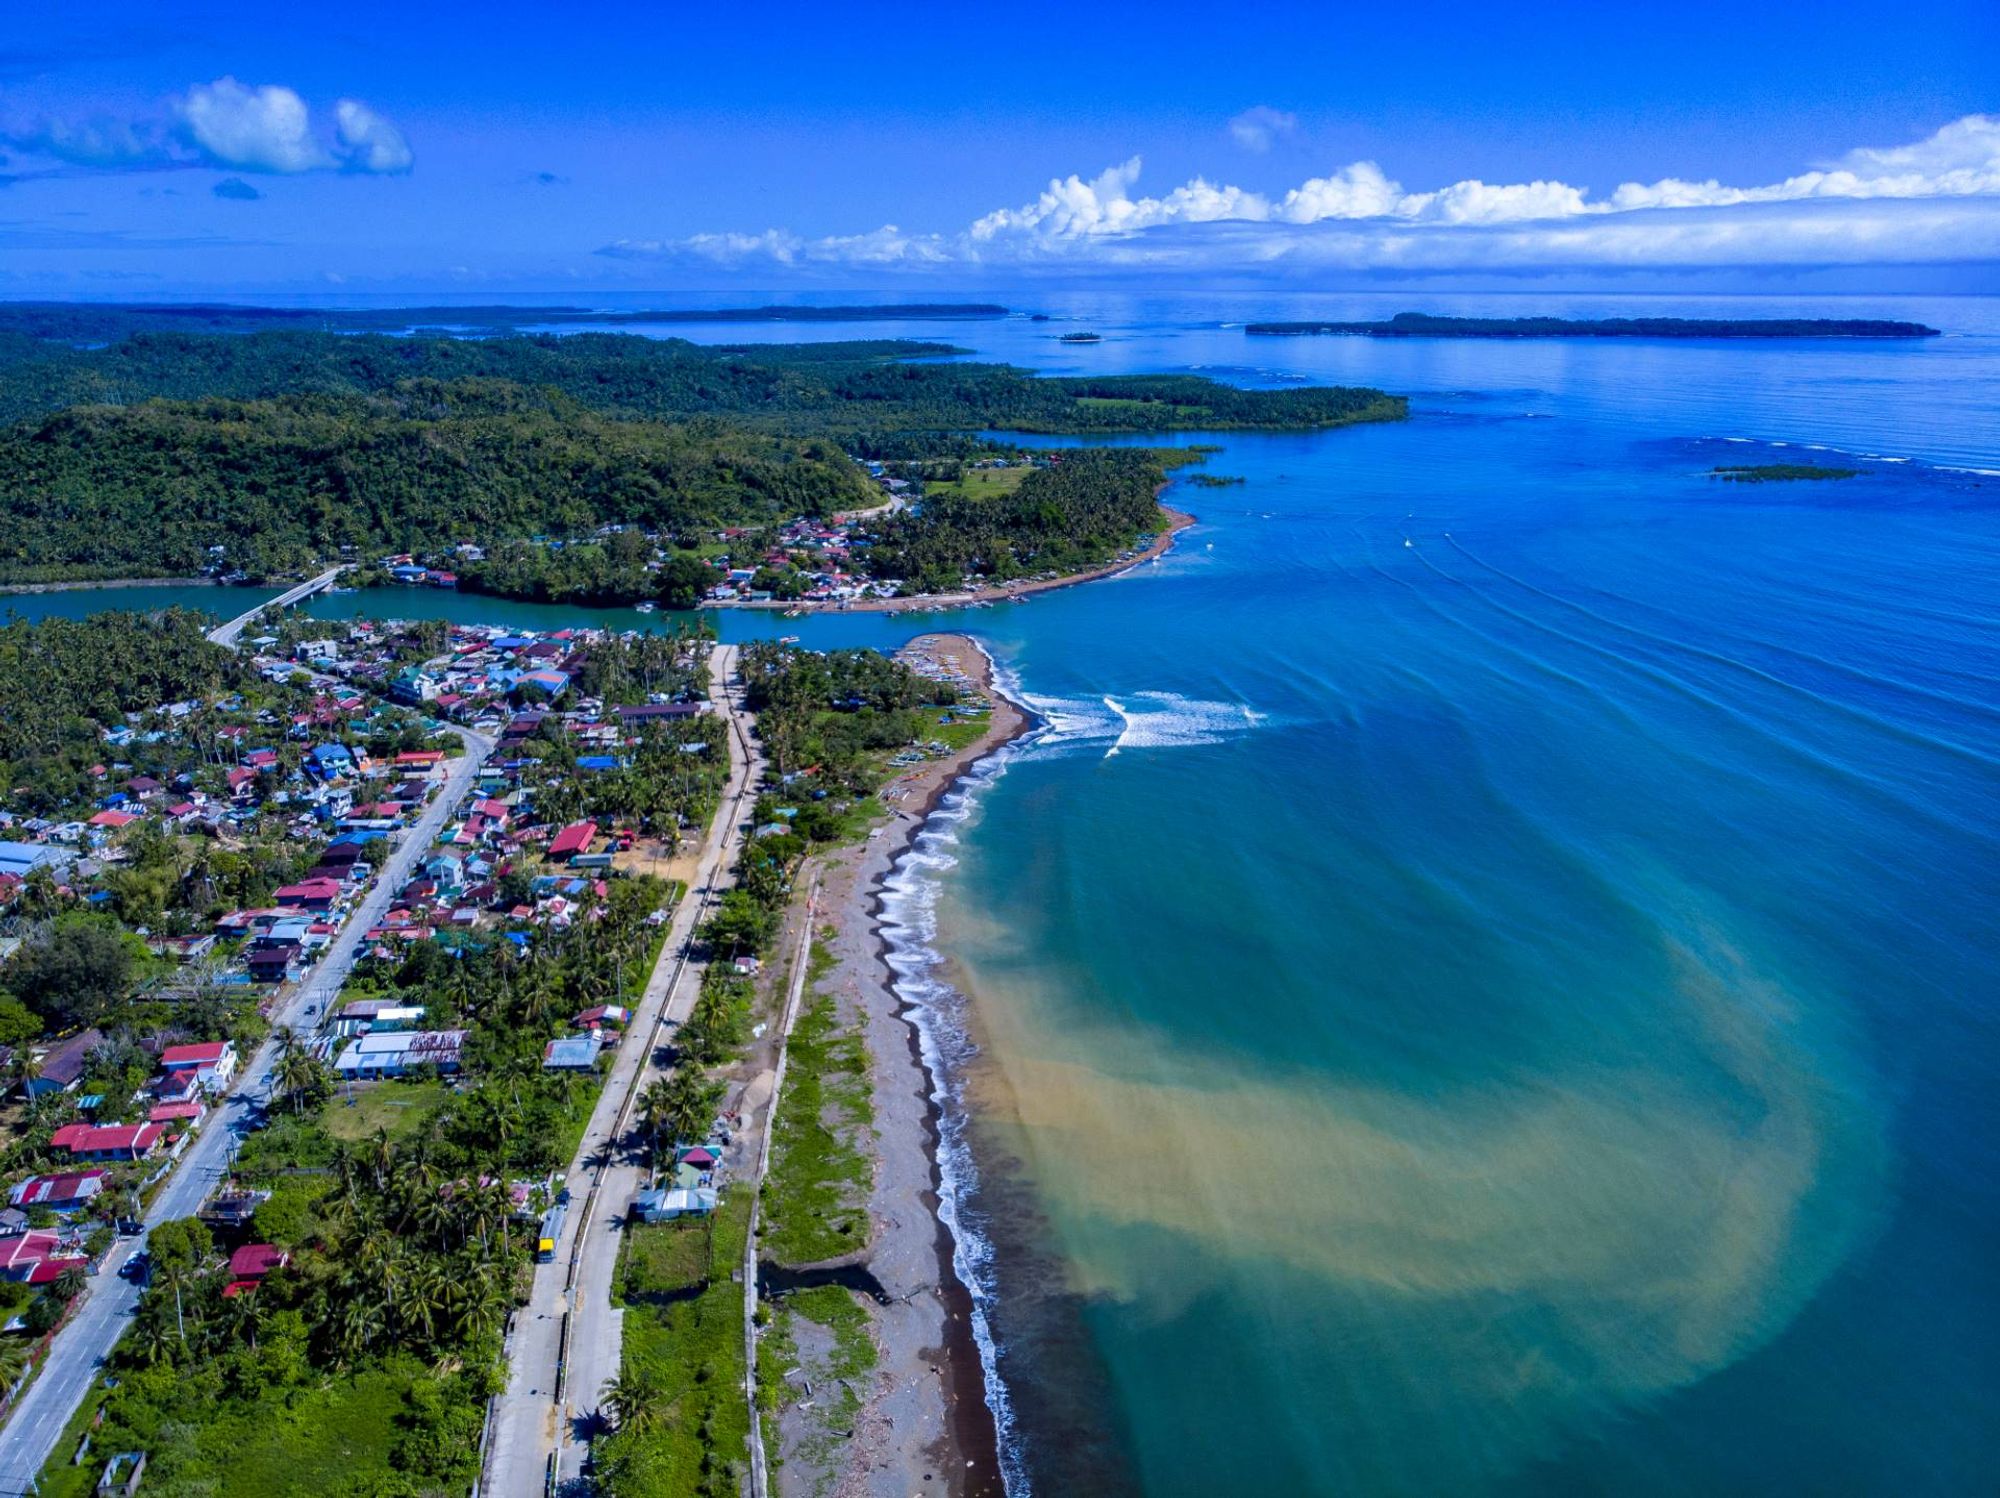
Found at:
(1937, 199)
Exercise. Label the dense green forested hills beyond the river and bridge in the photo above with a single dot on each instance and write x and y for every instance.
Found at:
(267, 453)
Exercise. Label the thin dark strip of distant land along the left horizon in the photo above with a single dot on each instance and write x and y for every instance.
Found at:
(81, 321)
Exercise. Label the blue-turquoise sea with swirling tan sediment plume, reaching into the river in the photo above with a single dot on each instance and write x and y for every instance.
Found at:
(1489, 979)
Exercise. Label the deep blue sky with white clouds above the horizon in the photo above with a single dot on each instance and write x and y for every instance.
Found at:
(393, 149)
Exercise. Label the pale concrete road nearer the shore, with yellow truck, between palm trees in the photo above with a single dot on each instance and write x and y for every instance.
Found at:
(569, 1339)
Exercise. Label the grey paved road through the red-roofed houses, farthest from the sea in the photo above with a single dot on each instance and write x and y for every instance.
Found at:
(81, 1349)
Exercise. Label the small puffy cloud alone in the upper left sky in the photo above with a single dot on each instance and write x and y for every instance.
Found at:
(231, 125)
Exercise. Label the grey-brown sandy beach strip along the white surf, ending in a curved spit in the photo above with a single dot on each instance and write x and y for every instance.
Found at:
(927, 1417)
